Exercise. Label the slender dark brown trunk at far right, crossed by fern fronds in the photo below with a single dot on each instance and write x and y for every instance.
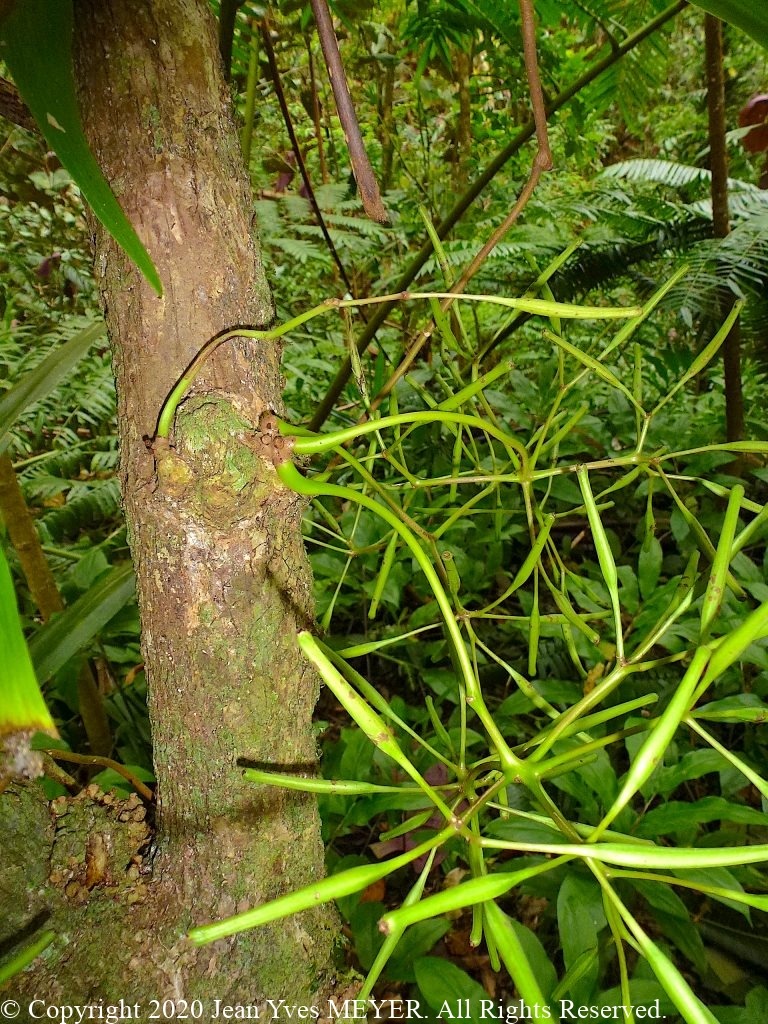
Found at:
(735, 408)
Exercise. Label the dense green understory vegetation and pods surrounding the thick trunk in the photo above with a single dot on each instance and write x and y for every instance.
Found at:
(540, 563)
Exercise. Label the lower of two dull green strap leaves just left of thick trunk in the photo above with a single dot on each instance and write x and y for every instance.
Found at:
(68, 633)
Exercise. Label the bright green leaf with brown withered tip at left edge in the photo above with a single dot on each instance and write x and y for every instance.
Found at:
(23, 705)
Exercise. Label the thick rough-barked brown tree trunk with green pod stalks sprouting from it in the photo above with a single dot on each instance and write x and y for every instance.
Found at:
(223, 580)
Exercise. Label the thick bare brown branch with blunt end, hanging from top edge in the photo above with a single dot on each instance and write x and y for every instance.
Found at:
(364, 174)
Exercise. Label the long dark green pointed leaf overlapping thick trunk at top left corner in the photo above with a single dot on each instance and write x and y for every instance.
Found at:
(36, 44)
